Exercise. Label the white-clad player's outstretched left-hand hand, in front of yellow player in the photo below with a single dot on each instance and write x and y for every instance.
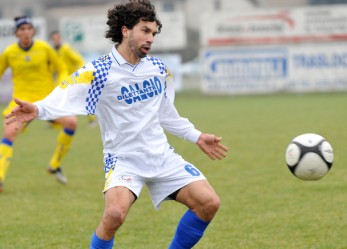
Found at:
(22, 113)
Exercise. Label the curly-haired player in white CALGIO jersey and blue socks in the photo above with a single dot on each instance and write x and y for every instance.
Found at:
(132, 97)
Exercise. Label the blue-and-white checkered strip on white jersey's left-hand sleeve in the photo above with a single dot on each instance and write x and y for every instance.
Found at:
(102, 67)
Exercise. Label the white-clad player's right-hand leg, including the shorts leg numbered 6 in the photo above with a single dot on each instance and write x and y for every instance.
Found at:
(179, 180)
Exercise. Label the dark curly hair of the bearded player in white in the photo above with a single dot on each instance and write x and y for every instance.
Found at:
(129, 14)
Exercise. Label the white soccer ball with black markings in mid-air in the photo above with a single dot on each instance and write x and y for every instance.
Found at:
(309, 156)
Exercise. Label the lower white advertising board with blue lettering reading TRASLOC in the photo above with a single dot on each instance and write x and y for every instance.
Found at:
(256, 70)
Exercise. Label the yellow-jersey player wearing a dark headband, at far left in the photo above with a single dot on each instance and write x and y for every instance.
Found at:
(29, 61)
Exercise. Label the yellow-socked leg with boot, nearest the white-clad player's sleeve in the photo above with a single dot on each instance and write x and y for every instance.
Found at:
(64, 141)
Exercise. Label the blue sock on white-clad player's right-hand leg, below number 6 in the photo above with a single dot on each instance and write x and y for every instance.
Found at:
(189, 231)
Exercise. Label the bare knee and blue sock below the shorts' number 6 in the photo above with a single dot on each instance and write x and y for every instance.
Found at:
(203, 203)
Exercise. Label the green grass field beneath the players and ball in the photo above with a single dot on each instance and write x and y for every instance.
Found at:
(263, 205)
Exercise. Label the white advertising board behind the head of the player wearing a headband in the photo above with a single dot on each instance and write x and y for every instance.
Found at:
(7, 31)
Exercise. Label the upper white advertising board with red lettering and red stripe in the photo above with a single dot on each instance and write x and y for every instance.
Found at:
(305, 24)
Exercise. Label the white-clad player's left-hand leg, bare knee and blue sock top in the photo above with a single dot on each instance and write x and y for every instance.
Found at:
(118, 201)
